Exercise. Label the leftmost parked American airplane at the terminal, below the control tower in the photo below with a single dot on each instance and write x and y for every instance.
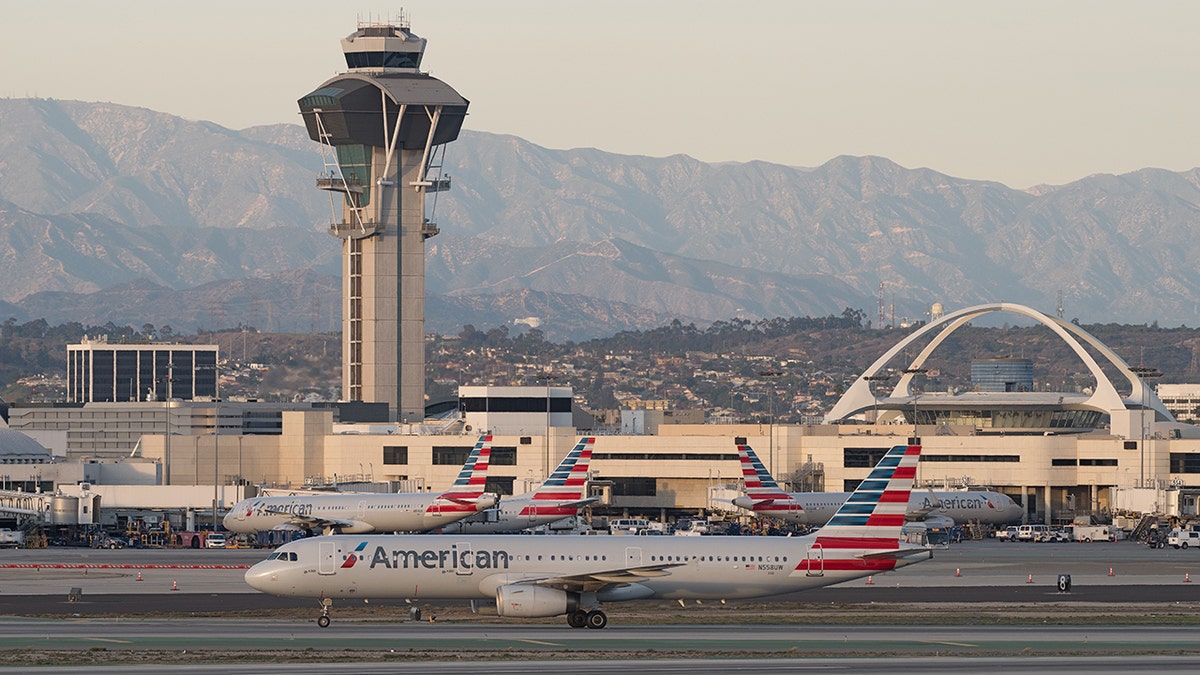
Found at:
(373, 512)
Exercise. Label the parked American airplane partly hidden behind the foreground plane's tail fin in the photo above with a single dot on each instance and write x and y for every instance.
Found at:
(765, 498)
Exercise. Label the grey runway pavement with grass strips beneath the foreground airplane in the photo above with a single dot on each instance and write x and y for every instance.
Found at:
(969, 602)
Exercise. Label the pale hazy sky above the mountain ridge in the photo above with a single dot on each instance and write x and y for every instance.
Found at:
(1017, 92)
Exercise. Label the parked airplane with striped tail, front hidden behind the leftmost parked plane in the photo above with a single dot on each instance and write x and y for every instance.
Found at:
(561, 497)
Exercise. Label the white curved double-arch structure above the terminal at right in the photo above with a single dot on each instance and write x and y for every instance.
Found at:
(1106, 398)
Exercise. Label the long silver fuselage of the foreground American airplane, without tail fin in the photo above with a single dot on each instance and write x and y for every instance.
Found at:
(477, 568)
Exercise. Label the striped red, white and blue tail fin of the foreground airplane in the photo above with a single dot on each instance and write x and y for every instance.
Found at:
(874, 515)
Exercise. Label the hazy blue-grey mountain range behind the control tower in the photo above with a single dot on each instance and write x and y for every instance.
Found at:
(112, 213)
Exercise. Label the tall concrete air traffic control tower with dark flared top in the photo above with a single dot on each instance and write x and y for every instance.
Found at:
(383, 127)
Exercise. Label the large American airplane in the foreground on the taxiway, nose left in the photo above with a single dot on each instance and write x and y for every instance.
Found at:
(541, 577)
